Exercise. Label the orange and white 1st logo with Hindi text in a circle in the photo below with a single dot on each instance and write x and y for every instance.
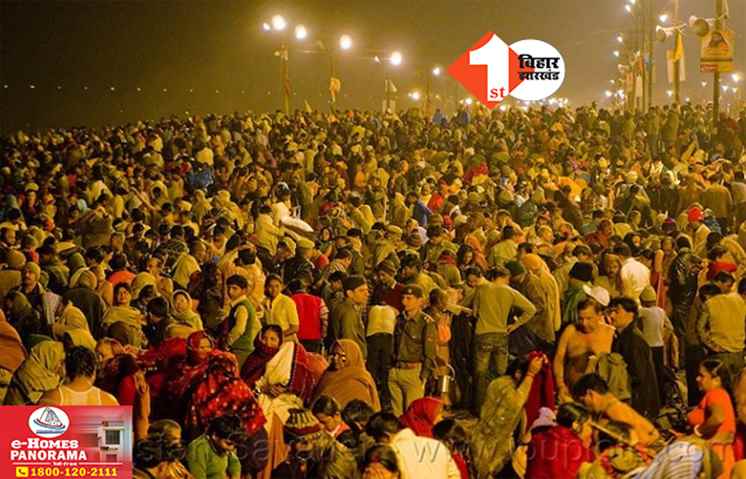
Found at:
(491, 70)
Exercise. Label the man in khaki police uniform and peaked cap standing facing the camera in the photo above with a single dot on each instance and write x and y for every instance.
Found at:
(415, 341)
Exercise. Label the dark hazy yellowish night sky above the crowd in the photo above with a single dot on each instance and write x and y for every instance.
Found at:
(217, 50)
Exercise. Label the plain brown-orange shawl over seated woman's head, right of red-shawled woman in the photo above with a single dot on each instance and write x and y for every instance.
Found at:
(353, 381)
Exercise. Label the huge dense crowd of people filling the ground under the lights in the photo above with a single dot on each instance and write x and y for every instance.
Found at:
(536, 293)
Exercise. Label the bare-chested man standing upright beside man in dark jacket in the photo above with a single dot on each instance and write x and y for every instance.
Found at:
(580, 345)
